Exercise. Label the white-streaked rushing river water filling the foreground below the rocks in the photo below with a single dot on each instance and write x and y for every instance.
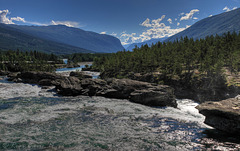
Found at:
(32, 118)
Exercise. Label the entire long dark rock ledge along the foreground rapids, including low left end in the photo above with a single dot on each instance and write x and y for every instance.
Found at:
(76, 84)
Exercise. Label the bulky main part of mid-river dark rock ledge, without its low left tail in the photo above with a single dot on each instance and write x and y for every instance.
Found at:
(136, 91)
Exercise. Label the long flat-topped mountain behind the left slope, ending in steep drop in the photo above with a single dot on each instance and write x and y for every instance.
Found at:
(74, 36)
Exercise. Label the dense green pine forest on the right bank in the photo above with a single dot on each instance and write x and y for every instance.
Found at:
(180, 58)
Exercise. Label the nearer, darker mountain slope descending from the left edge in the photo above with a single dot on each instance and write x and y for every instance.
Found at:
(13, 39)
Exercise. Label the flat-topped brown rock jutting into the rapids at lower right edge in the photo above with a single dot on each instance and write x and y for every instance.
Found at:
(223, 115)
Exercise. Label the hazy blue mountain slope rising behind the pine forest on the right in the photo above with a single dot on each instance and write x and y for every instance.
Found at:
(218, 24)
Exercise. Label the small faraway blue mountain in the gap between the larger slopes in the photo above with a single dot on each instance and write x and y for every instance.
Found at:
(148, 42)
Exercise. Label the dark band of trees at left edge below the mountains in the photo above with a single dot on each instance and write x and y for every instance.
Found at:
(17, 61)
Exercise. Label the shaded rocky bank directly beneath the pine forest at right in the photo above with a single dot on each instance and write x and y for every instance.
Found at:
(200, 88)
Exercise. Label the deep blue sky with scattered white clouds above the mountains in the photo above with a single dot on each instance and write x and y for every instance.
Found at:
(131, 21)
